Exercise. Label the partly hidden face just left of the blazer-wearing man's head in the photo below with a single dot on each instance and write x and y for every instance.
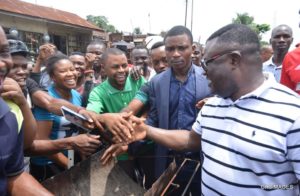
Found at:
(159, 59)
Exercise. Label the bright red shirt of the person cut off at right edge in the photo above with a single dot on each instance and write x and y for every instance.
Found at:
(290, 74)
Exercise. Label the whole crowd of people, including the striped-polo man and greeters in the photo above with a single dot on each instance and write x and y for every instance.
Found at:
(221, 104)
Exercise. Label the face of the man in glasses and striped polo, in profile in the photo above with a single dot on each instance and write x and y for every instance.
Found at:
(217, 63)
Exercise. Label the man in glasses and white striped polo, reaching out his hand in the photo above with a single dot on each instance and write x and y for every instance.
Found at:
(250, 132)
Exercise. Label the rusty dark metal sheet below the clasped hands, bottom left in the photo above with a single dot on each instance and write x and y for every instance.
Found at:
(90, 178)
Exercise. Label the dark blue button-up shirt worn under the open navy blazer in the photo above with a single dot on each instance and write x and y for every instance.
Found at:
(182, 101)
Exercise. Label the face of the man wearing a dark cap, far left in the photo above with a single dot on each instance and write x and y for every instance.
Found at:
(19, 71)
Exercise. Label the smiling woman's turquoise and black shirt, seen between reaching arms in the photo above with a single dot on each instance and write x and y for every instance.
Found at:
(61, 127)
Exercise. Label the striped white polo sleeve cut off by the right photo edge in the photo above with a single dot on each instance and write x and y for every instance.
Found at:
(293, 147)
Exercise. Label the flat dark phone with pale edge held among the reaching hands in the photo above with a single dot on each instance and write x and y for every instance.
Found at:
(75, 118)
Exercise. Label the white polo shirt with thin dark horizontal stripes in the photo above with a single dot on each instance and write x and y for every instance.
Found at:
(251, 146)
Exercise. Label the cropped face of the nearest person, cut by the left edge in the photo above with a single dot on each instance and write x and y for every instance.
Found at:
(5, 58)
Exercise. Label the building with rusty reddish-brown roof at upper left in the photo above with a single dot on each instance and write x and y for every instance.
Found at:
(38, 24)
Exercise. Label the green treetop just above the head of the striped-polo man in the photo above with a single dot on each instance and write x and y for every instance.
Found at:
(249, 21)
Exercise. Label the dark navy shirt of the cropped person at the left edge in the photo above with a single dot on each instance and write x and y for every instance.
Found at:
(11, 147)
